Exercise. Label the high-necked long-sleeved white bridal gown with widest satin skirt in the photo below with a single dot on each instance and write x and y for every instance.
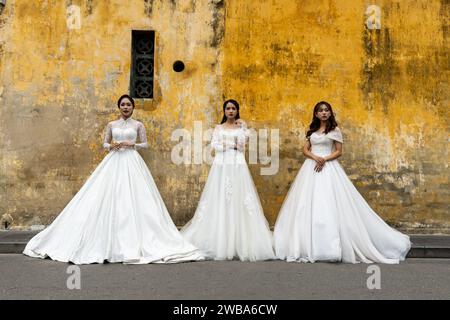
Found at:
(118, 215)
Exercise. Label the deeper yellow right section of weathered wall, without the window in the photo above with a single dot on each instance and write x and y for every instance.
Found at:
(389, 89)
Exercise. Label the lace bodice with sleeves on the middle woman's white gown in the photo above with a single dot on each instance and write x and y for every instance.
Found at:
(228, 139)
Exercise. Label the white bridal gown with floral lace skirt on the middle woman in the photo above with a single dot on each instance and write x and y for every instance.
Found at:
(229, 221)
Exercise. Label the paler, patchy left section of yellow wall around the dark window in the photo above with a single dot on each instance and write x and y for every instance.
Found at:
(60, 89)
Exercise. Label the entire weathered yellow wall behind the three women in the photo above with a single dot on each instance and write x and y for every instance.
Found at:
(389, 89)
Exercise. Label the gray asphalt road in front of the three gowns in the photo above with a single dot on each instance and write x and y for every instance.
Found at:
(22, 277)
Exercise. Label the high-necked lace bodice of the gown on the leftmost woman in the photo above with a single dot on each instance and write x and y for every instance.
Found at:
(125, 130)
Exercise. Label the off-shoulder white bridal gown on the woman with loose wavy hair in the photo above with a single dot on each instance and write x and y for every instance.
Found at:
(324, 217)
